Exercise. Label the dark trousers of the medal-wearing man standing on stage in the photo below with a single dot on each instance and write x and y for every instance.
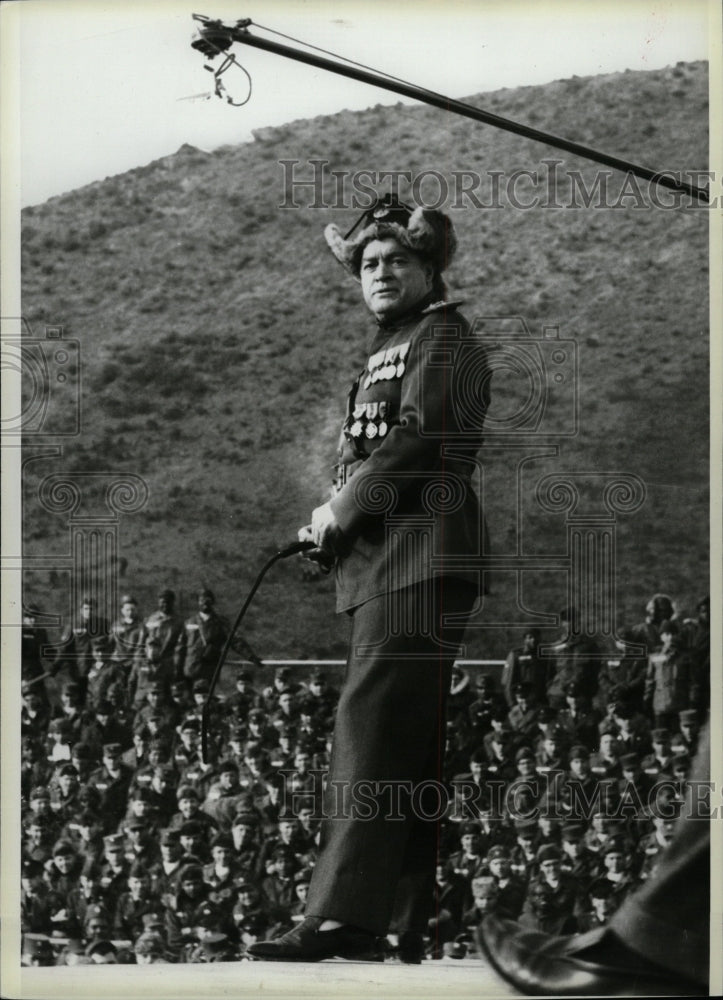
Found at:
(384, 795)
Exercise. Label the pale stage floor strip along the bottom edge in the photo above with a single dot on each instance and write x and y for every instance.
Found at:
(447, 978)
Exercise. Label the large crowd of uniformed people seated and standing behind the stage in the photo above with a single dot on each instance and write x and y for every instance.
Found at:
(562, 780)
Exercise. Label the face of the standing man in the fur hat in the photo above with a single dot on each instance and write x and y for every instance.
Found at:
(393, 278)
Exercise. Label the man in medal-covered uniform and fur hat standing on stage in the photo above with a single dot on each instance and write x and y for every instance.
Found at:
(403, 581)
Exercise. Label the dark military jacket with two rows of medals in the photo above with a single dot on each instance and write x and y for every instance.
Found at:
(406, 451)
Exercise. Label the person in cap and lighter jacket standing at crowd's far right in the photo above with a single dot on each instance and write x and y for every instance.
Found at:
(668, 680)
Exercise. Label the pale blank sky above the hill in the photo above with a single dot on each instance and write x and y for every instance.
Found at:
(98, 88)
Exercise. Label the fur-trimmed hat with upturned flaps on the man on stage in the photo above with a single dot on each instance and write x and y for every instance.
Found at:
(426, 231)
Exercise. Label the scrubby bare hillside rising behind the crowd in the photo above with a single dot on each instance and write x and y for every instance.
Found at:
(218, 336)
